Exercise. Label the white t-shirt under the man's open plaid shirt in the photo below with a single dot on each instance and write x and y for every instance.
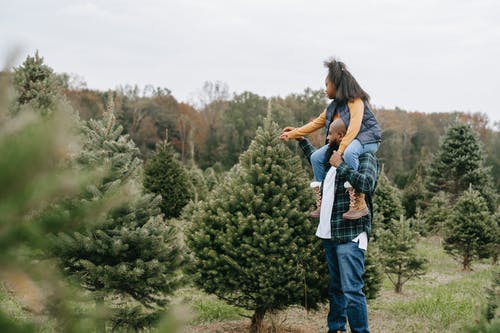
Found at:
(324, 230)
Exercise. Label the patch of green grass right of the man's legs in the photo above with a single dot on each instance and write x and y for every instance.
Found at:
(446, 299)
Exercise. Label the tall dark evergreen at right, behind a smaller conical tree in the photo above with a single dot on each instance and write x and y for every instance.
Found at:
(459, 163)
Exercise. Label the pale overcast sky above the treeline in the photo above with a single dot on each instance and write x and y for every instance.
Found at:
(426, 55)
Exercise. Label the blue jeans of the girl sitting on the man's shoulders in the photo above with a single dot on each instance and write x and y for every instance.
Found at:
(351, 157)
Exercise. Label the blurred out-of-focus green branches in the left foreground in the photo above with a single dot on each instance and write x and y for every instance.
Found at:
(38, 178)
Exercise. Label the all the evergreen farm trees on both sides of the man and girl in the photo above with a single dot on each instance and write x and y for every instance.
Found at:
(120, 235)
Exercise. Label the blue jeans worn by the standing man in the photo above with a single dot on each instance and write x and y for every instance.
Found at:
(346, 265)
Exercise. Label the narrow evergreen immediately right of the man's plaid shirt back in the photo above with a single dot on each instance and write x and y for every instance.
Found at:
(387, 202)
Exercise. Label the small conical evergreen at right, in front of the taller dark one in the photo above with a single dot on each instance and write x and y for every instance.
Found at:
(470, 229)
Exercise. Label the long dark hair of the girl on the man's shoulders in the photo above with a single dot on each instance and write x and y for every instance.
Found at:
(346, 85)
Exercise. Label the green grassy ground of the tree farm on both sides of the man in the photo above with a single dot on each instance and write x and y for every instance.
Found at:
(445, 299)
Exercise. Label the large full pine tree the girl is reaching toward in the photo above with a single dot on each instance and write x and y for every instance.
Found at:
(252, 241)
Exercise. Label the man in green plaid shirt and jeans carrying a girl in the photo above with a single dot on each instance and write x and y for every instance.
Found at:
(345, 241)
